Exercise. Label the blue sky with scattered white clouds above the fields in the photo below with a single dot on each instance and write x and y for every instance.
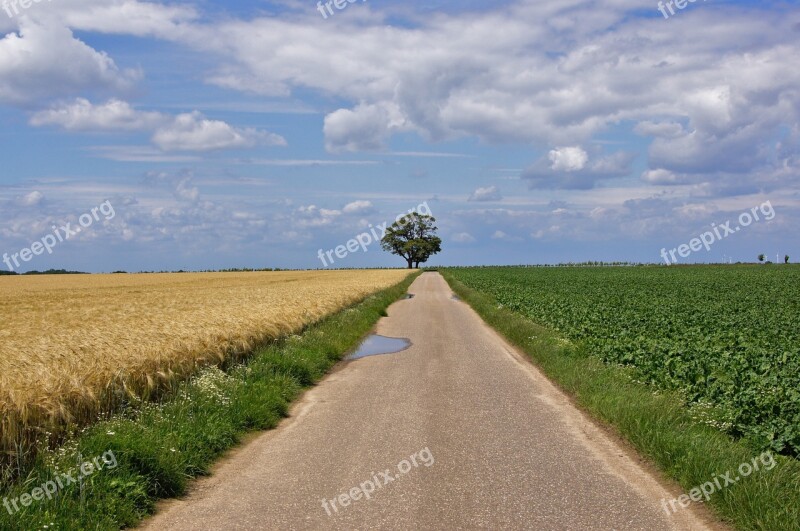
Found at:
(254, 134)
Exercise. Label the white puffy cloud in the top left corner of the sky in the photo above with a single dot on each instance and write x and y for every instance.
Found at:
(41, 58)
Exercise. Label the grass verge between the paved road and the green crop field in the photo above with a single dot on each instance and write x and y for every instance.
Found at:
(657, 424)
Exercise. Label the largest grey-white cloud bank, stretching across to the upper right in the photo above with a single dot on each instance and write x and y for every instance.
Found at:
(551, 78)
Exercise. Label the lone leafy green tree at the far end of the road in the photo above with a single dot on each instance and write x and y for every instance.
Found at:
(414, 238)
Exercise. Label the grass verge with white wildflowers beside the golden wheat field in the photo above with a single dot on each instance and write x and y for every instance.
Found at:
(151, 451)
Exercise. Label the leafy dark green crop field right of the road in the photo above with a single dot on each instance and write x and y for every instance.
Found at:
(726, 337)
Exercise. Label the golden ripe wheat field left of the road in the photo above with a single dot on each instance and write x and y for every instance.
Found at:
(69, 343)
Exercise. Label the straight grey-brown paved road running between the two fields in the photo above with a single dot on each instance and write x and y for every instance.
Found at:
(494, 446)
